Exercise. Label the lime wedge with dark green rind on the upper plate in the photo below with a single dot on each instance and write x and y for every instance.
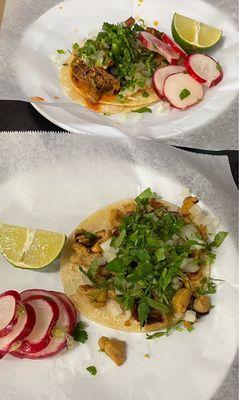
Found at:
(194, 36)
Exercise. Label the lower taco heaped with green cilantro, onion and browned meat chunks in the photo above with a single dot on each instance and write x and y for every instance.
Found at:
(140, 265)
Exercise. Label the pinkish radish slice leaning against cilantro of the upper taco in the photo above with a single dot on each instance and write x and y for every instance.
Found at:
(154, 44)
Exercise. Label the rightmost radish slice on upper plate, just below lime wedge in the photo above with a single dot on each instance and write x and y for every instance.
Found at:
(204, 69)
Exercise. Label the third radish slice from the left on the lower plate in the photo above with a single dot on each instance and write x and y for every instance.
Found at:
(47, 314)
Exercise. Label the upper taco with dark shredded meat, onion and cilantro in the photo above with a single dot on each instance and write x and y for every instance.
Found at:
(113, 72)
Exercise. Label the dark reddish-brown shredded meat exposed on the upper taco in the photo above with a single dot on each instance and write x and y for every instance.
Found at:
(94, 81)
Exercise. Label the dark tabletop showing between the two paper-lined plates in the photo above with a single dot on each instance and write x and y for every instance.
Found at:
(21, 116)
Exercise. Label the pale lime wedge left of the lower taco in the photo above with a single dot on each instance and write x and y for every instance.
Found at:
(29, 248)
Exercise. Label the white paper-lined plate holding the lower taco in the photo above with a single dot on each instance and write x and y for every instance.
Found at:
(52, 181)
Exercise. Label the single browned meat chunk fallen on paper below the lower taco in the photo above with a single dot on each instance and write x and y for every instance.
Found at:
(114, 348)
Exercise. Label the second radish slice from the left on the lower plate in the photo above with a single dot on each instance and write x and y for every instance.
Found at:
(24, 326)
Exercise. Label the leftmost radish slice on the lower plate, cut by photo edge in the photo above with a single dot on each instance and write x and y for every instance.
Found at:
(9, 302)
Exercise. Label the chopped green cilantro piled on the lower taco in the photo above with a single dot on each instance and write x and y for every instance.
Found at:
(151, 250)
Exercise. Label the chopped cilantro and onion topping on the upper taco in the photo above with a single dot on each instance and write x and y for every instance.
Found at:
(118, 45)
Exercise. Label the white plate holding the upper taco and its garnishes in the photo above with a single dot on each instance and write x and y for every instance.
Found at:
(73, 19)
